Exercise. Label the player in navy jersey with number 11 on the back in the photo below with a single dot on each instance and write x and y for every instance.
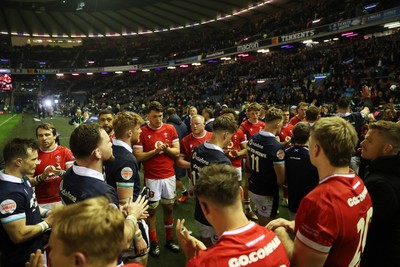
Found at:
(265, 157)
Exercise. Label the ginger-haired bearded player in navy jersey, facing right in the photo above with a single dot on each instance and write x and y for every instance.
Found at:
(123, 173)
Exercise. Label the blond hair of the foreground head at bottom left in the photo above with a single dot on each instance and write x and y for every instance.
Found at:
(92, 227)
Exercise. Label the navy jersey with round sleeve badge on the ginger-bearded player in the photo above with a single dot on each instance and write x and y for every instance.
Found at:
(123, 171)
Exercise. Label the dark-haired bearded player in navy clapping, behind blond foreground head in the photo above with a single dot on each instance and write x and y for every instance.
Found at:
(91, 147)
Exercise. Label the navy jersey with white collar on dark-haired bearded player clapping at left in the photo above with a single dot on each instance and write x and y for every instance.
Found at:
(80, 183)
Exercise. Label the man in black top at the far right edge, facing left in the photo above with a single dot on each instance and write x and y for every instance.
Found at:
(382, 146)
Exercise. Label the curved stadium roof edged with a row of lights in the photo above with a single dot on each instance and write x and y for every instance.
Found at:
(91, 18)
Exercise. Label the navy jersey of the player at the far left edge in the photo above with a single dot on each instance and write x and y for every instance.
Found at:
(17, 201)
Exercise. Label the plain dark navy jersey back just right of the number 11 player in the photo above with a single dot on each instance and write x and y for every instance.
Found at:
(301, 175)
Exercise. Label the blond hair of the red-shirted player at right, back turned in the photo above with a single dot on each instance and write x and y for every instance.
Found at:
(337, 138)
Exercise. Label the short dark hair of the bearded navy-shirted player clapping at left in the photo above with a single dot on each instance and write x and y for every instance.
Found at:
(84, 139)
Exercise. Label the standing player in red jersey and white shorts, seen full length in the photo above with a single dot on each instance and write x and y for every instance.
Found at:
(157, 149)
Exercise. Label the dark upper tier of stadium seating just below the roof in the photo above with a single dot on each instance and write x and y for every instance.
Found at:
(164, 48)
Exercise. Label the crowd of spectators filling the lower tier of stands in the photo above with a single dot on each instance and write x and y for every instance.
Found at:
(288, 76)
